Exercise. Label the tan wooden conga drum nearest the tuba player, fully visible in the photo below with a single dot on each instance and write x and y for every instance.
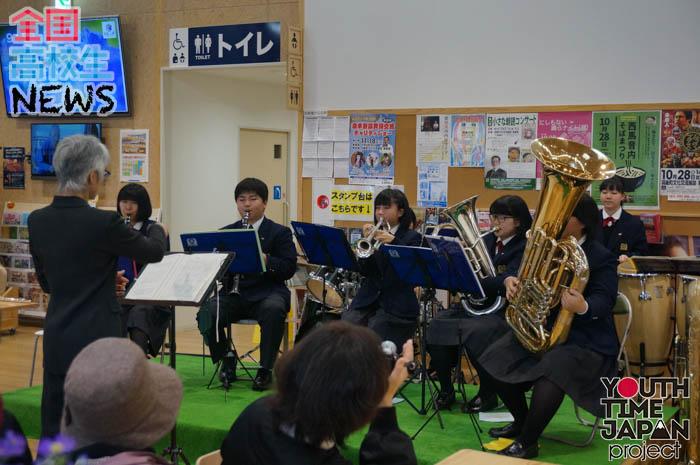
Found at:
(649, 340)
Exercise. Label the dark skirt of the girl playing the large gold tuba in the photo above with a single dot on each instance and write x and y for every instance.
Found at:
(576, 370)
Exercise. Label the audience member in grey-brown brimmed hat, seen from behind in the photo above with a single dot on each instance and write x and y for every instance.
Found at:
(117, 404)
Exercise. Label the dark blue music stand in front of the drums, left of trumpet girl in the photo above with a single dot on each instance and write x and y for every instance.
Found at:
(325, 246)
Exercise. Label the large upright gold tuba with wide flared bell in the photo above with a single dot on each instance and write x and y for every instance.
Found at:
(551, 264)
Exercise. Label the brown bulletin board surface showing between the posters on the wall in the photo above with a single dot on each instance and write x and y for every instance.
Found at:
(680, 218)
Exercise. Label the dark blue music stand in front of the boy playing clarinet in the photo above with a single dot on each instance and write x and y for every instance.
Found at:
(244, 244)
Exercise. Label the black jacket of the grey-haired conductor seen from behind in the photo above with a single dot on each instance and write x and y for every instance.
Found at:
(75, 249)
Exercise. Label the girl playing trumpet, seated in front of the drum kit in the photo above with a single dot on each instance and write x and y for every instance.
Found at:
(384, 303)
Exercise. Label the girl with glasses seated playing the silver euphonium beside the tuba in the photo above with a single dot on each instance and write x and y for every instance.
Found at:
(456, 326)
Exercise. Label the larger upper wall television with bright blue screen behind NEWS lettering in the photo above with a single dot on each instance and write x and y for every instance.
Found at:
(66, 79)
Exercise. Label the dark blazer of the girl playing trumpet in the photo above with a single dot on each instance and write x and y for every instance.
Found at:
(381, 282)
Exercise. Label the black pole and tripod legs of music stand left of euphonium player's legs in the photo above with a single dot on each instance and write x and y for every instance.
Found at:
(428, 297)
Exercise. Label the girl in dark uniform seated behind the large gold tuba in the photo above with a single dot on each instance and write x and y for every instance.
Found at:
(575, 367)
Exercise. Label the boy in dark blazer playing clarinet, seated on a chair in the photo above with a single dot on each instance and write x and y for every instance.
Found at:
(263, 297)
